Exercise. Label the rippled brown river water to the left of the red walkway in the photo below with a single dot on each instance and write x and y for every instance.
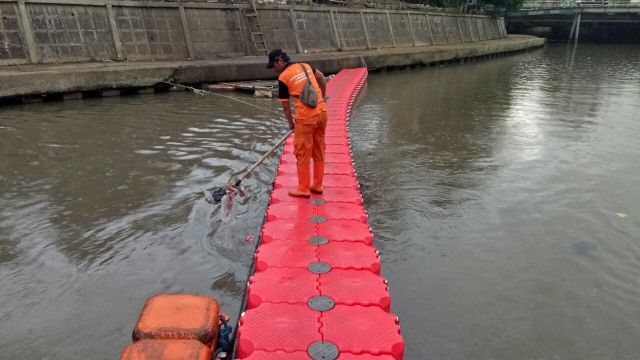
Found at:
(102, 207)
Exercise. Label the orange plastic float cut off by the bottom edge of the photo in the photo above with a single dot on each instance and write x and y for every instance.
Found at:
(166, 350)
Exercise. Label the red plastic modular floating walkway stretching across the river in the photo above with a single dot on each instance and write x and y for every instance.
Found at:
(317, 292)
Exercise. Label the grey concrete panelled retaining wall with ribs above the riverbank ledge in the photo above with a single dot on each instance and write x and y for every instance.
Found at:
(61, 31)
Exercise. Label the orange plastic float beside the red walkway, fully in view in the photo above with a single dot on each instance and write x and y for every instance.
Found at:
(180, 317)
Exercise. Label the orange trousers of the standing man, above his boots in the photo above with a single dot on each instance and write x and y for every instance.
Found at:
(308, 140)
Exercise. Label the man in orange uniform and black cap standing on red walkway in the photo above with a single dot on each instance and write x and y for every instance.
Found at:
(310, 122)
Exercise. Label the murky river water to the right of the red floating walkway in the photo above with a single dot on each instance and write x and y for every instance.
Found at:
(502, 198)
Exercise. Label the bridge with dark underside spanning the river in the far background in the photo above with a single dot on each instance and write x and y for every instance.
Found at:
(598, 20)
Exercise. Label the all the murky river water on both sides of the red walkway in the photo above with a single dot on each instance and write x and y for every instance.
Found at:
(502, 195)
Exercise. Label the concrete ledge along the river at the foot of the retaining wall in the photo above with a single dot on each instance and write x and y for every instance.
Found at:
(77, 80)
